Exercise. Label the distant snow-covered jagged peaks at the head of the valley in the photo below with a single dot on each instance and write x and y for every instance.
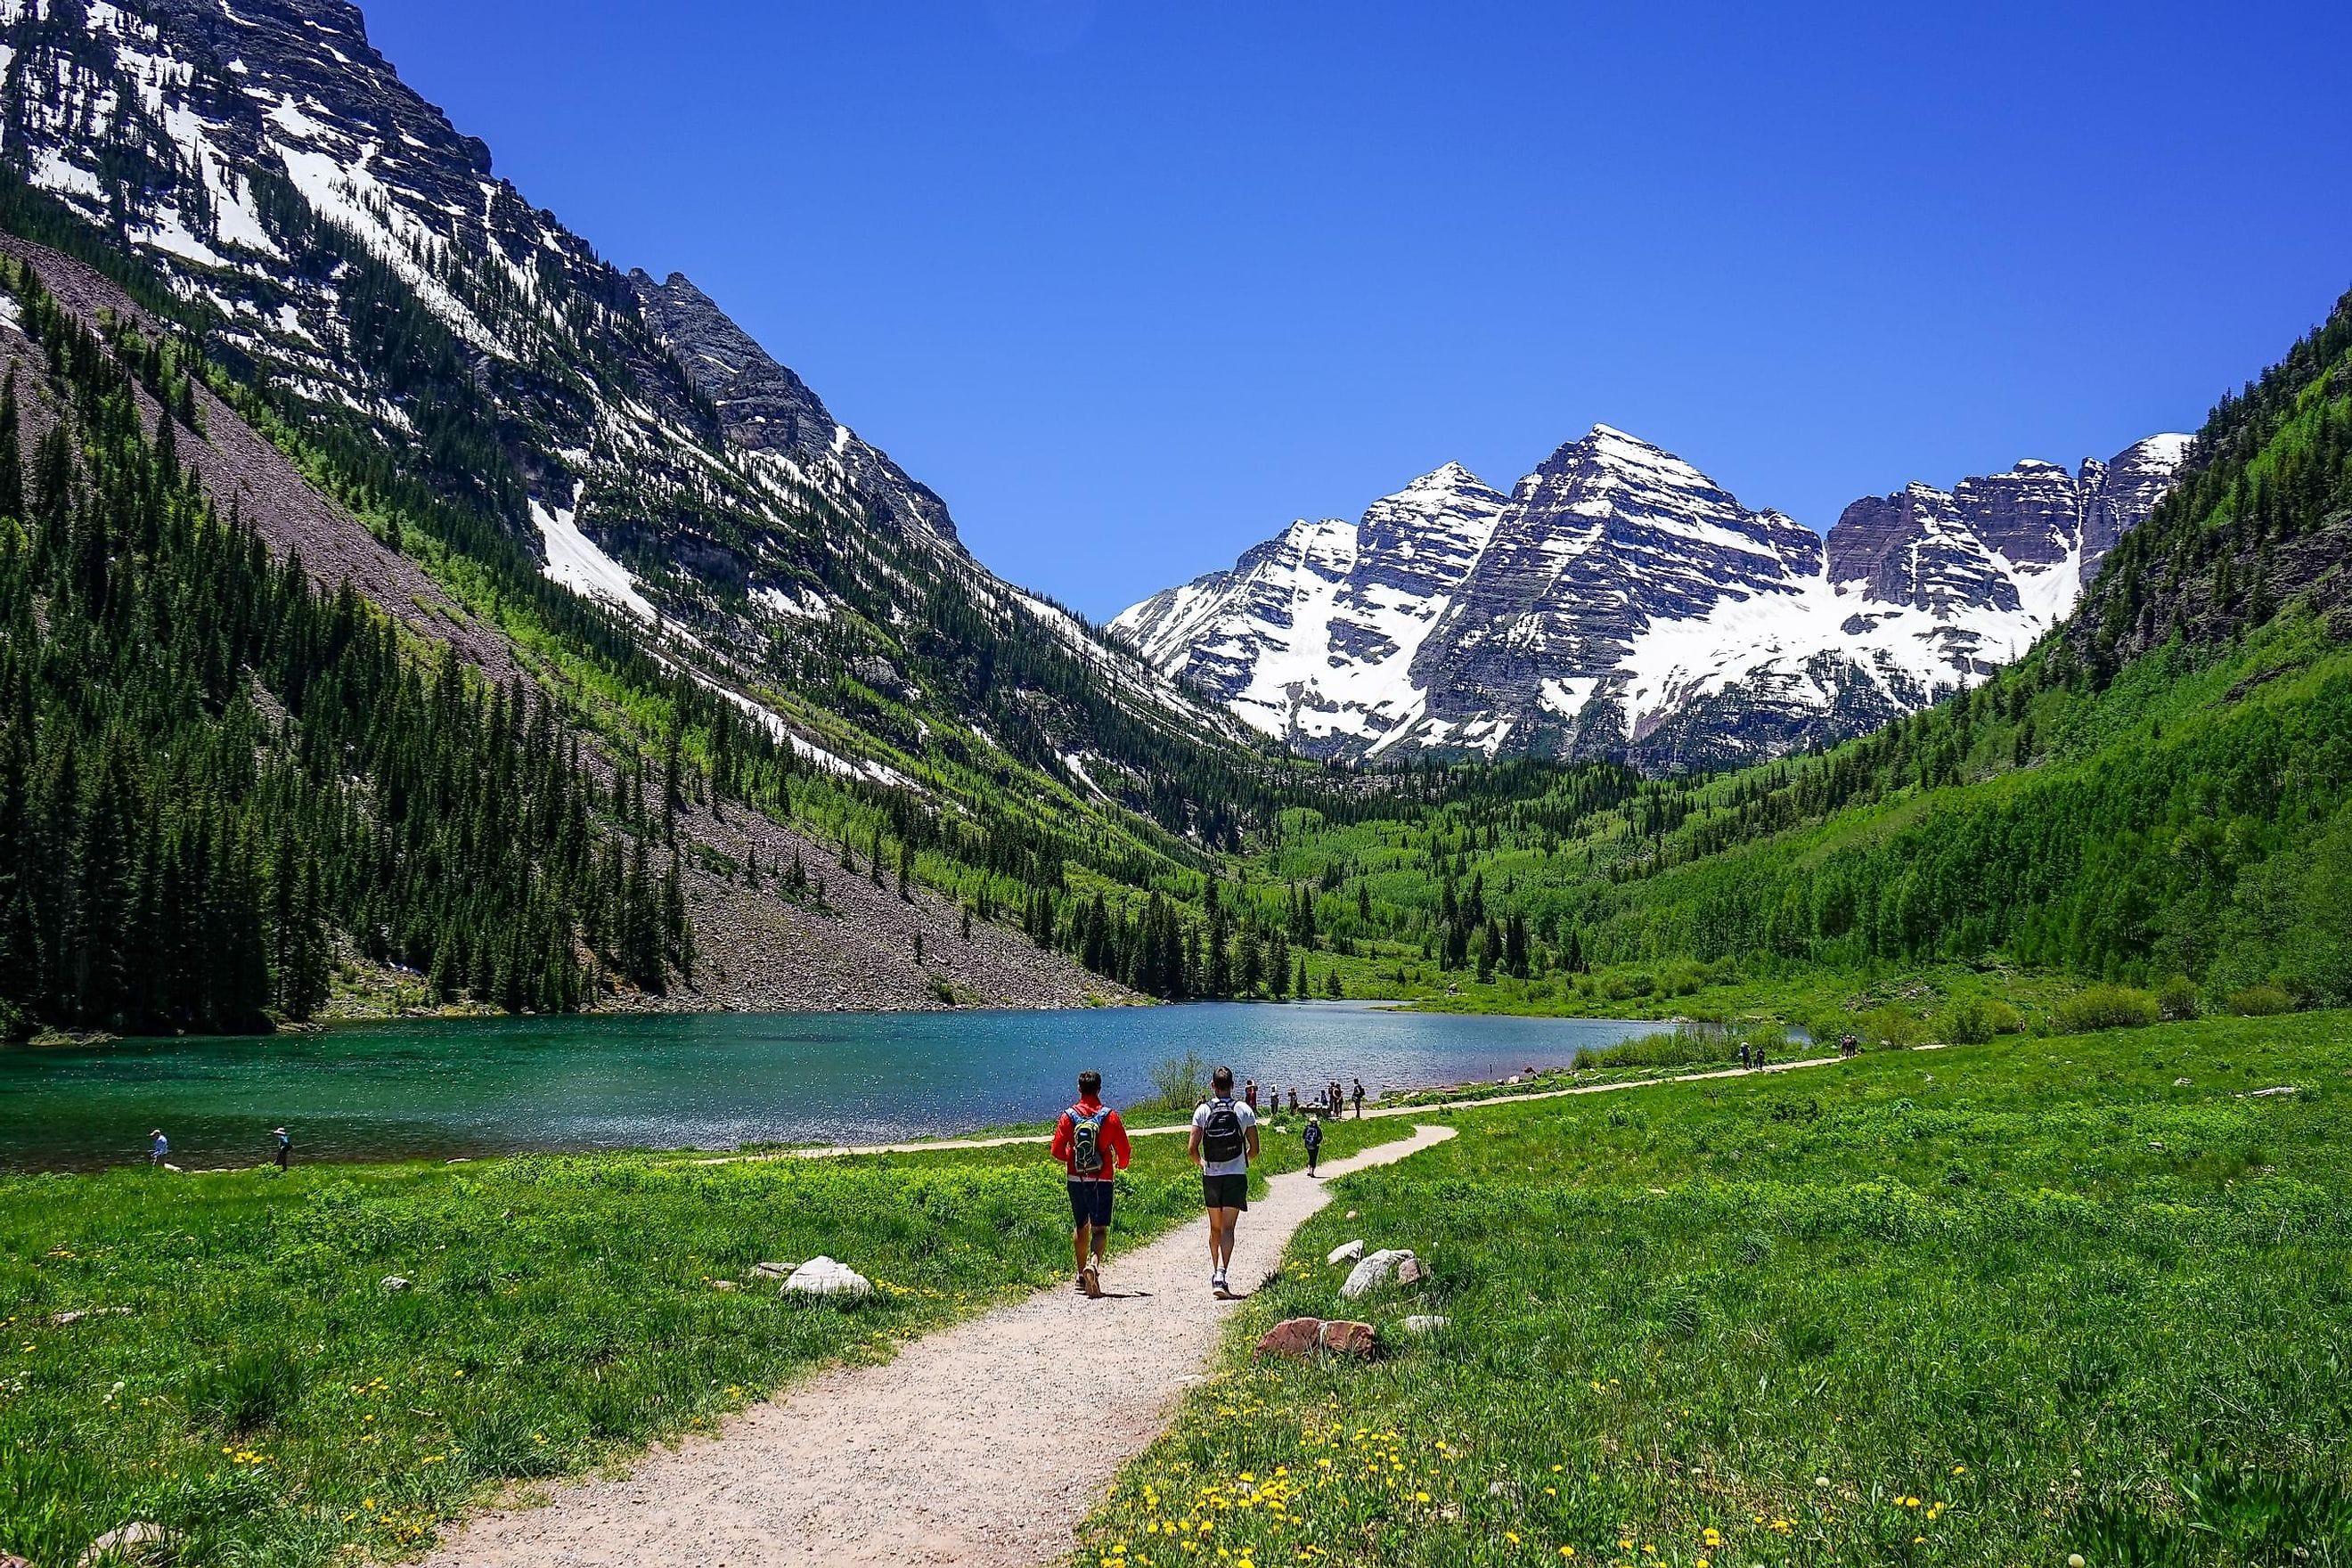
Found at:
(1624, 605)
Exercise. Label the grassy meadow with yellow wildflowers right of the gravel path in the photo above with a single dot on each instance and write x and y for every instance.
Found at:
(1989, 1306)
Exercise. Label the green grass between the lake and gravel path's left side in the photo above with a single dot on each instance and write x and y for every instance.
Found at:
(269, 1402)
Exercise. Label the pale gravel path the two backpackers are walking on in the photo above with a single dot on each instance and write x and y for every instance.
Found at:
(954, 1454)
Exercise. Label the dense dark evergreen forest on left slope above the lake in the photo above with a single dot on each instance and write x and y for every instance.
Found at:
(213, 775)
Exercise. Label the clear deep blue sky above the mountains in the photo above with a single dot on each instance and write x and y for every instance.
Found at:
(1135, 283)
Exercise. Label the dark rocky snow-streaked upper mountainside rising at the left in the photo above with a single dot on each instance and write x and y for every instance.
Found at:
(368, 262)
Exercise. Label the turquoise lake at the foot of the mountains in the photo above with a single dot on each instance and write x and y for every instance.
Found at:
(704, 1080)
